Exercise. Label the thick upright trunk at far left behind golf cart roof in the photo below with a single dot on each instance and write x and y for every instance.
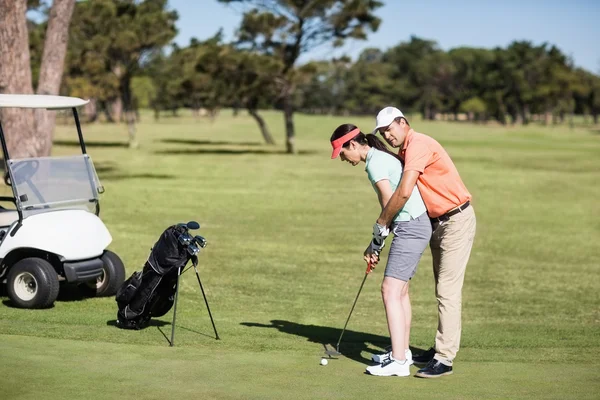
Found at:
(15, 77)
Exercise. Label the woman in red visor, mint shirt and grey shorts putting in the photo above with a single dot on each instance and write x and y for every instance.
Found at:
(412, 231)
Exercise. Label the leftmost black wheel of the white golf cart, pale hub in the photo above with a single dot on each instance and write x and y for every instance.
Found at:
(32, 283)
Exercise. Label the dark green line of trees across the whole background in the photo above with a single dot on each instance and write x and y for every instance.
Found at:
(120, 54)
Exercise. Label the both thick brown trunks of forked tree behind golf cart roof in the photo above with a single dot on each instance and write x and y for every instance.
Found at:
(35, 128)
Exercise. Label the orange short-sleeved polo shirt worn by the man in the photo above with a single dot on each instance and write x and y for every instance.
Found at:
(439, 182)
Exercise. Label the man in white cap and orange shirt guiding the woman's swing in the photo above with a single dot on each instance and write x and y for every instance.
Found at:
(427, 164)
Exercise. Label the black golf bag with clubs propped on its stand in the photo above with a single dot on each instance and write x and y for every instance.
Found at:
(150, 292)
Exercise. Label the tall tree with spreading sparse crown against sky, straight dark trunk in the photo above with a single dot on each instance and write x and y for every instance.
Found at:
(285, 29)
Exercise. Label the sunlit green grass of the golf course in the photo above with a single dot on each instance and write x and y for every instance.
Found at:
(286, 235)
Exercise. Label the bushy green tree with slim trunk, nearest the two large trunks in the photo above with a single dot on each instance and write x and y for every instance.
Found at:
(113, 39)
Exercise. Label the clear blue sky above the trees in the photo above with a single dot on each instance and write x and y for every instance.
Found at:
(573, 26)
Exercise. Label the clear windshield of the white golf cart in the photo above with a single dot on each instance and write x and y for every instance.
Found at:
(45, 183)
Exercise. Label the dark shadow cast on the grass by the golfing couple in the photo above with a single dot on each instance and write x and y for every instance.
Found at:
(352, 345)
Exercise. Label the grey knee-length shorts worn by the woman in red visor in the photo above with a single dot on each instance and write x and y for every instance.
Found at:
(410, 240)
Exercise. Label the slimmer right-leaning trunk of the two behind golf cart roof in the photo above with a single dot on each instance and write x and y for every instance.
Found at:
(51, 70)
